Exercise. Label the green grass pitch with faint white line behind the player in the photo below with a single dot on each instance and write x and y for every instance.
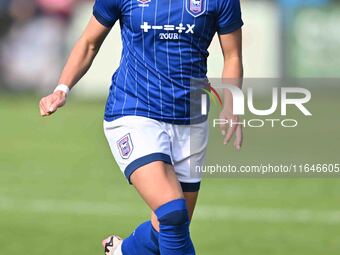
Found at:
(61, 192)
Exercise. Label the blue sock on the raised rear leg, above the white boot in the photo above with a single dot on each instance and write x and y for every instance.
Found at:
(144, 240)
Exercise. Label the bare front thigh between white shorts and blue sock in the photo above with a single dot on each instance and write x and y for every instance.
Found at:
(157, 184)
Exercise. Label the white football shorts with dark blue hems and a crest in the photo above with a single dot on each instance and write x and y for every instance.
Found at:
(137, 141)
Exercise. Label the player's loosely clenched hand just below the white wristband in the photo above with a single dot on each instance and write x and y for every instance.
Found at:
(50, 104)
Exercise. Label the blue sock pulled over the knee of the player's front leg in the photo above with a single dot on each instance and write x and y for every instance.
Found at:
(174, 236)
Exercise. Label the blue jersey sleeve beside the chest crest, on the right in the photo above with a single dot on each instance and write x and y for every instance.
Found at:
(229, 16)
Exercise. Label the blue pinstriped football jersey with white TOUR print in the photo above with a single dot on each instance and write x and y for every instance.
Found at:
(165, 45)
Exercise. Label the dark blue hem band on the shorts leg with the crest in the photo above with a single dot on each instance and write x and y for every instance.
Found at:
(134, 165)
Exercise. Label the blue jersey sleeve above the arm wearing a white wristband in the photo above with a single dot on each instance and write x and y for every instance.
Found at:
(107, 12)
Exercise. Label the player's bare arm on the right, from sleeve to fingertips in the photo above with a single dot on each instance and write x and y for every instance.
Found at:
(231, 45)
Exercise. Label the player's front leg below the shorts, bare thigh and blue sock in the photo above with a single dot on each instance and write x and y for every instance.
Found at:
(158, 185)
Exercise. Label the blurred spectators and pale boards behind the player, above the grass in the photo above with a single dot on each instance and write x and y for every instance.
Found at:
(285, 38)
